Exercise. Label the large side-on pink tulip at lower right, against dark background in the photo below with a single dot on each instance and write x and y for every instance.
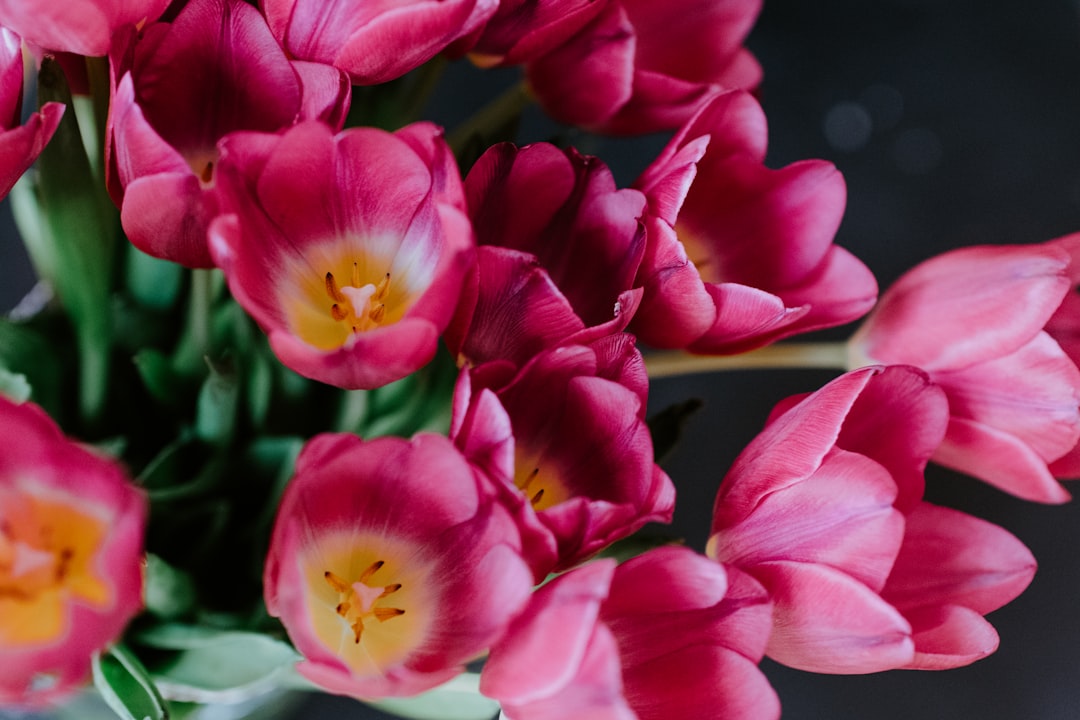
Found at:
(825, 510)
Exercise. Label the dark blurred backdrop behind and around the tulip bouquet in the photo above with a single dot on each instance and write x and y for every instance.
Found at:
(954, 124)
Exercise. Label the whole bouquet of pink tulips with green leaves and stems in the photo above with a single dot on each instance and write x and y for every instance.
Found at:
(361, 405)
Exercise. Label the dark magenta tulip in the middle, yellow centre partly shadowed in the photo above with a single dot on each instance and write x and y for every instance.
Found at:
(566, 439)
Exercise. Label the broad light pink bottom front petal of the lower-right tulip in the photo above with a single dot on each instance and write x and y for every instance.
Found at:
(828, 622)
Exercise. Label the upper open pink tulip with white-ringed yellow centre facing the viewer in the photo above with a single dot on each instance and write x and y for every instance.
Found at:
(349, 251)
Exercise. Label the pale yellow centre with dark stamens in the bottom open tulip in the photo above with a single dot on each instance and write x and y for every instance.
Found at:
(368, 600)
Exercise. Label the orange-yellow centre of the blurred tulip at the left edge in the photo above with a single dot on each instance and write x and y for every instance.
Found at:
(48, 547)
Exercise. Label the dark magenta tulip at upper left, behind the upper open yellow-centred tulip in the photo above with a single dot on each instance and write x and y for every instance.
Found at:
(183, 87)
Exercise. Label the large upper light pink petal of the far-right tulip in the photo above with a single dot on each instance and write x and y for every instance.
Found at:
(967, 306)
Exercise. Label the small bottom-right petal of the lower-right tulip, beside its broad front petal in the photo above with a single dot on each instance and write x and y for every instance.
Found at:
(950, 637)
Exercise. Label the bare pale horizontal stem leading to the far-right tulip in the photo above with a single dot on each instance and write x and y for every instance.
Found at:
(828, 356)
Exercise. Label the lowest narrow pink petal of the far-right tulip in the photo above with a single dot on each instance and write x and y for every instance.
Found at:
(1001, 459)
